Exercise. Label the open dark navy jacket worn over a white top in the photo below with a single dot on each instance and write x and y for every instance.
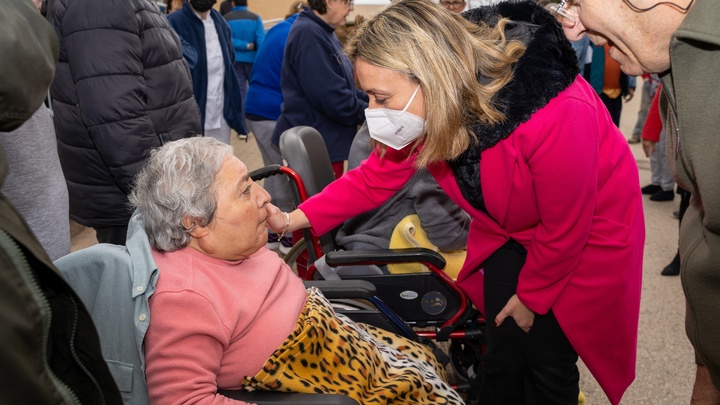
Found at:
(191, 30)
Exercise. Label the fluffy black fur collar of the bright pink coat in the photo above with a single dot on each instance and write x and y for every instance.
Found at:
(548, 66)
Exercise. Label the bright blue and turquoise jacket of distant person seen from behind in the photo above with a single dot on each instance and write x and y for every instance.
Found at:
(246, 27)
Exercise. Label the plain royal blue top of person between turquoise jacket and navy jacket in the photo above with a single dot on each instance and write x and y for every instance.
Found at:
(264, 96)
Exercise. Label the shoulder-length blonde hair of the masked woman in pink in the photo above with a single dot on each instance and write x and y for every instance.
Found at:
(460, 66)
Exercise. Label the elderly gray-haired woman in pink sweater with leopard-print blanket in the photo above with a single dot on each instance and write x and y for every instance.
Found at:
(227, 313)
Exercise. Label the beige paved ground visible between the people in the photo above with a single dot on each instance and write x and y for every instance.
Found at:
(665, 367)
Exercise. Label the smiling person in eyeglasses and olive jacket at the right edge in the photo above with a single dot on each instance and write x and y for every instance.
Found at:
(680, 40)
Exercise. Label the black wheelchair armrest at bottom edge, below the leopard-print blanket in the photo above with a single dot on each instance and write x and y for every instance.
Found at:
(289, 398)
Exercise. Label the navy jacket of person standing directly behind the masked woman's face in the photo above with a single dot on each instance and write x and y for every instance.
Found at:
(318, 86)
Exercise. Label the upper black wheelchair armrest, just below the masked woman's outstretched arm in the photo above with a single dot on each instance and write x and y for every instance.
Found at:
(383, 256)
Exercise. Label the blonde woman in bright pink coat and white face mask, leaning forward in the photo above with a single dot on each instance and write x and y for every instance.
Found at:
(495, 110)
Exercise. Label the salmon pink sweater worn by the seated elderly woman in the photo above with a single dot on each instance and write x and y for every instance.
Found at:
(214, 322)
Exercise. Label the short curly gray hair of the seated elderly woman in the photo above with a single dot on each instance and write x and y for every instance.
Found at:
(175, 183)
